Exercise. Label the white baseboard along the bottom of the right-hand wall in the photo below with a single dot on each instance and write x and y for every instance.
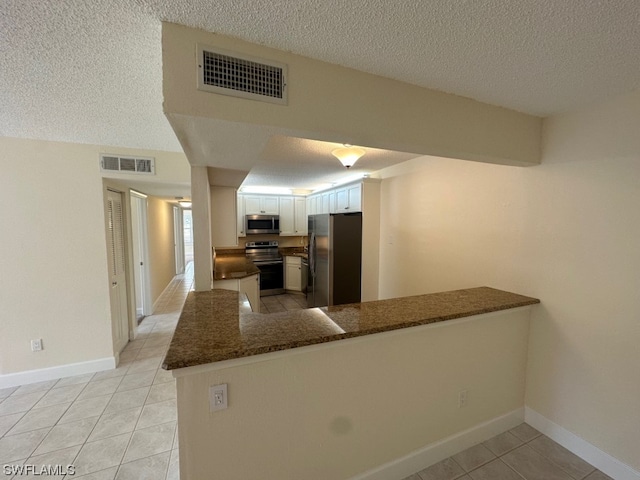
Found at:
(585, 450)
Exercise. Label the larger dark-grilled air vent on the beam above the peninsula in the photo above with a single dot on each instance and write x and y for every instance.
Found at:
(230, 73)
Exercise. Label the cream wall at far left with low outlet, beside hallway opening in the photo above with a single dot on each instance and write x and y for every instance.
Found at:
(53, 261)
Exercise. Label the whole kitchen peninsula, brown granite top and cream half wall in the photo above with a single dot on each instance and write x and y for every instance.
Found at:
(360, 384)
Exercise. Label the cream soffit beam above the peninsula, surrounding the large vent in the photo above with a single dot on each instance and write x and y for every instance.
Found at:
(337, 104)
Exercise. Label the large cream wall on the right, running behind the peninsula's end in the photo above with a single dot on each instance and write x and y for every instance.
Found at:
(565, 232)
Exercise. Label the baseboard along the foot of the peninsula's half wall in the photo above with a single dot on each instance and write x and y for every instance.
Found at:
(437, 451)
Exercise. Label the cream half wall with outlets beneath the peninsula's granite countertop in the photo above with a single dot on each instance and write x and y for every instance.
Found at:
(339, 409)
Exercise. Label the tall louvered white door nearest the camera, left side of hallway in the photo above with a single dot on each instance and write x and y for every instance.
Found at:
(117, 270)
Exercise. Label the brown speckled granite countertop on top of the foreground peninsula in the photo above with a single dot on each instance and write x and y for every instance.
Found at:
(211, 329)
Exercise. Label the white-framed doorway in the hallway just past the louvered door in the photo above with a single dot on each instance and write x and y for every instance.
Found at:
(140, 254)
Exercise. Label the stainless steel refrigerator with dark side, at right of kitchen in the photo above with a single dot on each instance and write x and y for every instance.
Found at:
(335, 259)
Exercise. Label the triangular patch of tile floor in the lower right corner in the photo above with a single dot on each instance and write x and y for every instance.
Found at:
(521, 453)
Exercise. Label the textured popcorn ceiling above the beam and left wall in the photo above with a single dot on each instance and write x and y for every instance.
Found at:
(90, 72)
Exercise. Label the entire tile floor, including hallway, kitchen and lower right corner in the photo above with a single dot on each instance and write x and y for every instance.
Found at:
(121, 424)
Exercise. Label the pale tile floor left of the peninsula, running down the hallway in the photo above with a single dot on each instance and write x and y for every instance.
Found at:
(118, 424)
